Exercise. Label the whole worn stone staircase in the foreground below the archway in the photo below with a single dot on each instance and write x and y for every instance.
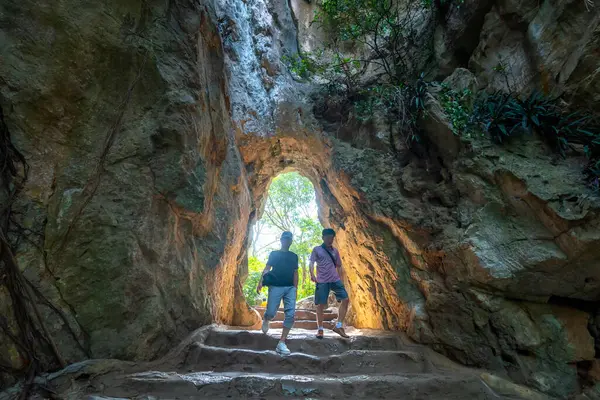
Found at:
(221, 363)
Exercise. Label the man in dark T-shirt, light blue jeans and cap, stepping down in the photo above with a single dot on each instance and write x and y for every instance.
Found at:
(282, 267)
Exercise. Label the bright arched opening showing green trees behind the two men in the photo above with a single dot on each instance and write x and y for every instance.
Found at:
(290, 204)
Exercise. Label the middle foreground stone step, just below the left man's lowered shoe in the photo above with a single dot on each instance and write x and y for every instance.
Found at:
(218, 359)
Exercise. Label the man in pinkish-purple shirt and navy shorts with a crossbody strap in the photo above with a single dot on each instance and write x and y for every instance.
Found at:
(329, 265)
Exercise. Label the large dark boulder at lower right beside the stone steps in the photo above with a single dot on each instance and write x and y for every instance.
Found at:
(537, 344)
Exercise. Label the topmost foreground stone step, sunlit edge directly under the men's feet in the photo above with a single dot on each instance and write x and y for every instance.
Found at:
(304, 342)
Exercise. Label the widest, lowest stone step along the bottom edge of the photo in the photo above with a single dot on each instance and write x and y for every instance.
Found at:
(214, 385)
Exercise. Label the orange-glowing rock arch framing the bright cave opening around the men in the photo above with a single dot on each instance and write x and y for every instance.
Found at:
(377, 266)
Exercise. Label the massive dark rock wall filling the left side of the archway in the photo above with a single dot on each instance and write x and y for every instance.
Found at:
(136, 188)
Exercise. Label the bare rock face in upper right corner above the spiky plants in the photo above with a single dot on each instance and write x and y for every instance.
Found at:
(549, 46)
